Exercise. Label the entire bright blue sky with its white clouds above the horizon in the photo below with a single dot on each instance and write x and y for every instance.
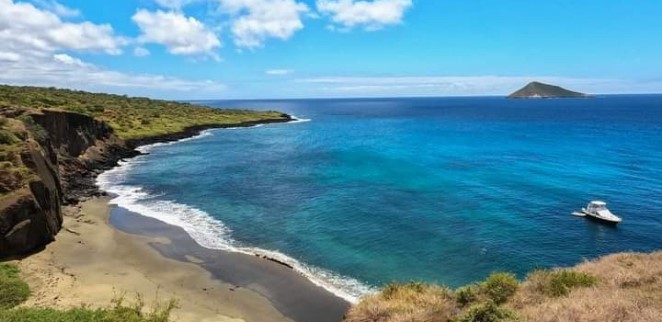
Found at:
(217, 49)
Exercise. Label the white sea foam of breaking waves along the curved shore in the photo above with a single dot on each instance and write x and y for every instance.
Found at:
(208, 231)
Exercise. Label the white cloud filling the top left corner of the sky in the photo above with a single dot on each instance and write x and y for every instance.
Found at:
(27, 29)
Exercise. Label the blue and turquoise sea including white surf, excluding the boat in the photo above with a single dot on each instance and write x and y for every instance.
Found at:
(434, 189)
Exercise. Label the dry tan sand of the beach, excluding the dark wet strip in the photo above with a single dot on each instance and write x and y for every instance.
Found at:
(91, 263)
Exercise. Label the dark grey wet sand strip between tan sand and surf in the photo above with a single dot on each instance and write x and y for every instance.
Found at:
(291, 293)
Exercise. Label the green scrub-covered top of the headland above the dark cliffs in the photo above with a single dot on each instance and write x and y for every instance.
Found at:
(131, 118)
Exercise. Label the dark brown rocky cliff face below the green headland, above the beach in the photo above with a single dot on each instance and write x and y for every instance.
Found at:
(64, 162)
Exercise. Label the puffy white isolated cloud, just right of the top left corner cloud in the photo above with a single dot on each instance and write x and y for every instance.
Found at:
(182, 35)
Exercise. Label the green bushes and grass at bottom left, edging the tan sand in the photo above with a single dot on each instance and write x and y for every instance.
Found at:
(14, 291)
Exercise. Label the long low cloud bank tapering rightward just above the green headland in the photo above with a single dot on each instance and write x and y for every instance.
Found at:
(63, 70)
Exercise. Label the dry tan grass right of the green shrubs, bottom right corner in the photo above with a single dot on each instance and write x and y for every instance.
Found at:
(628, 289)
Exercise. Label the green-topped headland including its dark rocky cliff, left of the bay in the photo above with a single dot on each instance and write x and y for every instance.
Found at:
(53, 143)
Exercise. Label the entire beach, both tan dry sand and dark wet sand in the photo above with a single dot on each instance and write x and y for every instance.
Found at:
(92, 262)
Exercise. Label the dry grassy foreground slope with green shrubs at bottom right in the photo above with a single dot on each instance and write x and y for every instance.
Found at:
(617, 288)
